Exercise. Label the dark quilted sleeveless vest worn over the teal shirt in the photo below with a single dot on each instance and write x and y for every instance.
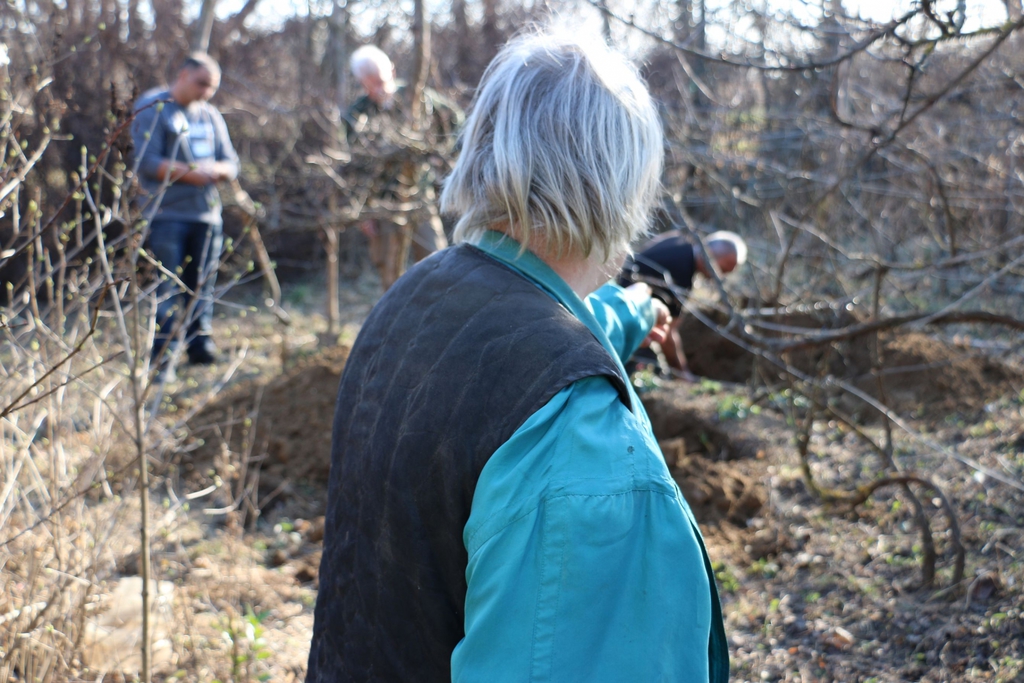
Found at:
(452, 361)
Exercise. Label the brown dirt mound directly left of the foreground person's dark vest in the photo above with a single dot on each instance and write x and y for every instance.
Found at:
(285, 420)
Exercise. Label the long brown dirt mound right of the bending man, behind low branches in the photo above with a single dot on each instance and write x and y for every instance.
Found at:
(923, 377)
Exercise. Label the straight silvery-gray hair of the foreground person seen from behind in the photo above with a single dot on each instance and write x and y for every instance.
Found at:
(564, 146)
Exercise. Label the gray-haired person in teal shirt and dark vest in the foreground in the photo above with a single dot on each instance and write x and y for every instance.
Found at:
(498, 508)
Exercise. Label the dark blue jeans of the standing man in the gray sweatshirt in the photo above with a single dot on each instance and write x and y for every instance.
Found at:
(195, 248)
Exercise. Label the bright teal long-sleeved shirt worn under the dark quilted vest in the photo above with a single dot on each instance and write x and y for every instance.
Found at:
(585, 561)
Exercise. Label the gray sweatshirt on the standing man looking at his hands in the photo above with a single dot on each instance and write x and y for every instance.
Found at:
(192, 135)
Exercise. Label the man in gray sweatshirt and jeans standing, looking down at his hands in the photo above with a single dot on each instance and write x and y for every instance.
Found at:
(184, 151)
